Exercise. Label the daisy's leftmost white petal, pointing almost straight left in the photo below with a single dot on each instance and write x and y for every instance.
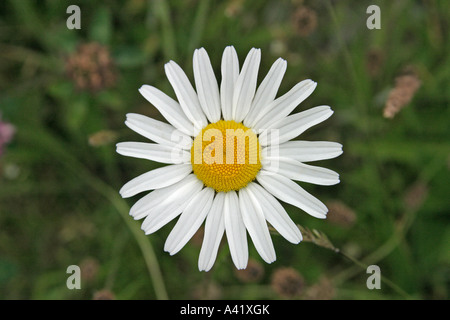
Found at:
(154, 152)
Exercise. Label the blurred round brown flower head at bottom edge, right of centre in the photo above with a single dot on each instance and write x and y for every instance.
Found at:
(287, 282)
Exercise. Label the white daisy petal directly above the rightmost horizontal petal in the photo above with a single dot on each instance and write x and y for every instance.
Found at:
(294, 125)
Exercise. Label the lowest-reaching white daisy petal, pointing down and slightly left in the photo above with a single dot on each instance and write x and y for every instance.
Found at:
(214, 229)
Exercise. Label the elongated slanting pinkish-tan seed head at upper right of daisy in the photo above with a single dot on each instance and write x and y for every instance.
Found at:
(406, 86)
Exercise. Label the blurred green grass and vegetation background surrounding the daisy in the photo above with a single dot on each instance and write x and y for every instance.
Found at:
(63, 99)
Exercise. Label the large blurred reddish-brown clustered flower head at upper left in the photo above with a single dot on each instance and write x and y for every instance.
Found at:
(91, 67)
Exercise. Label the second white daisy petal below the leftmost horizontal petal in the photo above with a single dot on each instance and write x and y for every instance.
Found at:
(160, 198)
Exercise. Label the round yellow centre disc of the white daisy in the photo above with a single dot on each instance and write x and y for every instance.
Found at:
(226, 155)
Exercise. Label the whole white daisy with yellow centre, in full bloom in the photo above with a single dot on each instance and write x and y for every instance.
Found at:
(230, 157)
